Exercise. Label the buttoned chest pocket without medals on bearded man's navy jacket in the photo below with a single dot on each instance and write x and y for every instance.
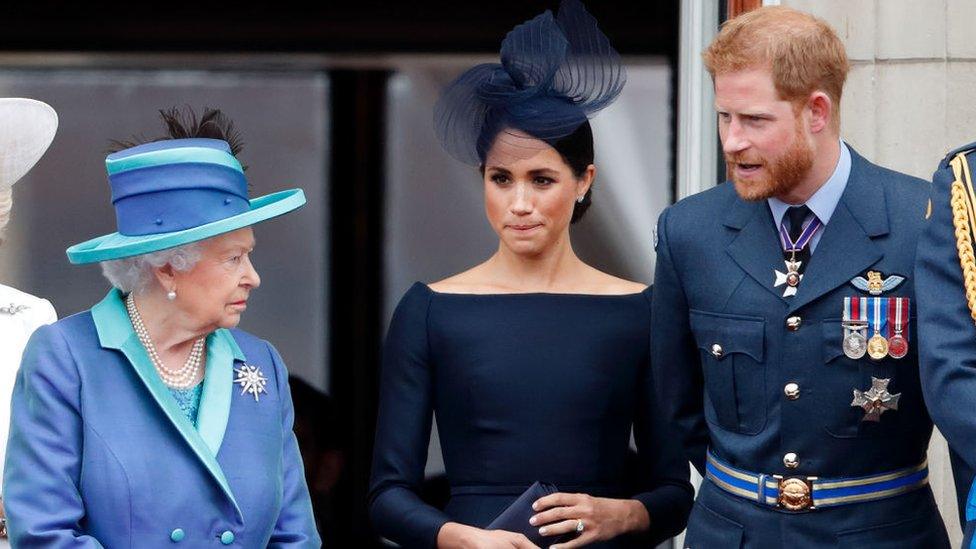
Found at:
(733, 364)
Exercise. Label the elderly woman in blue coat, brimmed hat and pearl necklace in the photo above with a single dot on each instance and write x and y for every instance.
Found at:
(149, 420)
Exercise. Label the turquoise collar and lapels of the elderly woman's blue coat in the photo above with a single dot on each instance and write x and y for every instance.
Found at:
(115, 332)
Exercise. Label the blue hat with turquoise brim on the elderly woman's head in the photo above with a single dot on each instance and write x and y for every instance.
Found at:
(174, 192)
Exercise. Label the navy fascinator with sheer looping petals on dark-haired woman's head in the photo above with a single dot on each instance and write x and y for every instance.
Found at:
(555, 72)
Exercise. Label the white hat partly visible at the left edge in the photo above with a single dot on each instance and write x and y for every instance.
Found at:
(27, 128)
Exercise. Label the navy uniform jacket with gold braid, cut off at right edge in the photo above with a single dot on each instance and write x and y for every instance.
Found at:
(947, 334)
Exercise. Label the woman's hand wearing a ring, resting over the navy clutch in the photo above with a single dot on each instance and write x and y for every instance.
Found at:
(602, 518)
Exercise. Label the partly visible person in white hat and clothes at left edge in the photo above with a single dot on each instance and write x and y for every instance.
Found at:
(27, 128)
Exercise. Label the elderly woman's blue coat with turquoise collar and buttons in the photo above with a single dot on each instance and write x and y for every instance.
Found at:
(100, 454)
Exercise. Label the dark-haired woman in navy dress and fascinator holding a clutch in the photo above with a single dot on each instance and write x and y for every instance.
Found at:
(535, 364)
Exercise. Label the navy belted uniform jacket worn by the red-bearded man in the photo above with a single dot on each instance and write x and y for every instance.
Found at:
(716, 256)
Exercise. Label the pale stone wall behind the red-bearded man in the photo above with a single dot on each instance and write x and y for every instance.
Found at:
(909, 99)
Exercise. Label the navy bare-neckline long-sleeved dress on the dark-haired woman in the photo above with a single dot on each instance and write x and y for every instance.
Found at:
(524, 387)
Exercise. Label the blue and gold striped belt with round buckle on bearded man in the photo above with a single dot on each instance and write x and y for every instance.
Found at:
(802, 493)
